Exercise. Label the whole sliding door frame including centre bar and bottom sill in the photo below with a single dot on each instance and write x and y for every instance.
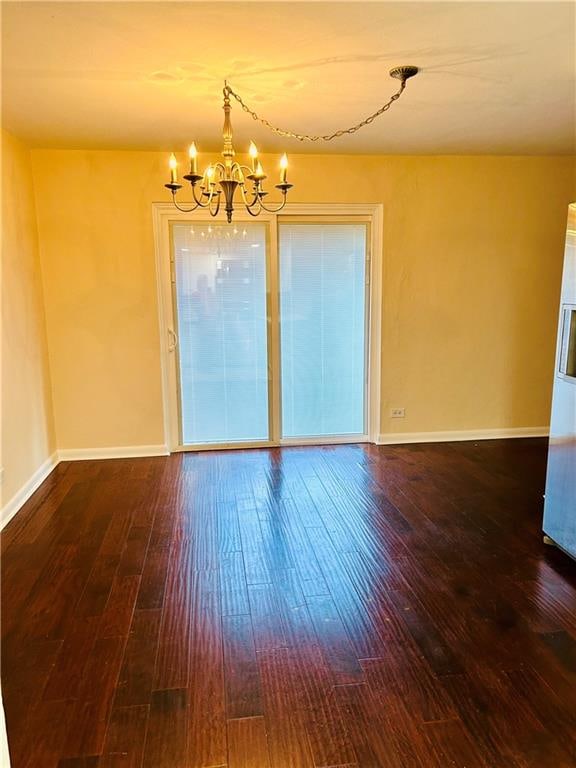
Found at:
(163, 214)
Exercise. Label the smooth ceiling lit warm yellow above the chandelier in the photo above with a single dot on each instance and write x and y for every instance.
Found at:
(495, 78)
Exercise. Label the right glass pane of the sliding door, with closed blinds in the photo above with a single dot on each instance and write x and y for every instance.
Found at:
(322, 316)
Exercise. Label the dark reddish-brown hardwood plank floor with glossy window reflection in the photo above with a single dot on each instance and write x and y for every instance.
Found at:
(339, 606)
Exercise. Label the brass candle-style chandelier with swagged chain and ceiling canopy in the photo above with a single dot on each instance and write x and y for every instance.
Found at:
(224, 179)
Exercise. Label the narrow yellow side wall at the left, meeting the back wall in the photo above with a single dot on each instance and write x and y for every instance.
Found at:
(27, 422)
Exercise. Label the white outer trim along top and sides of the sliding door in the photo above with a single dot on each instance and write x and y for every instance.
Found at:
(165, 212)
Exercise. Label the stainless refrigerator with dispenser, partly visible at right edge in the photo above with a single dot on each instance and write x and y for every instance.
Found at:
(560, 495)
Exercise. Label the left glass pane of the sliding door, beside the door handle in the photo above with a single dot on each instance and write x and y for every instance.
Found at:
(221, 299)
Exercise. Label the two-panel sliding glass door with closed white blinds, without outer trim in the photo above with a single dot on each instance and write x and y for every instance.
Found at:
(272, 341)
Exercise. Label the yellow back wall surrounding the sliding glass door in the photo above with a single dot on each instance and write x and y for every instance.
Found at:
(472, 264)
